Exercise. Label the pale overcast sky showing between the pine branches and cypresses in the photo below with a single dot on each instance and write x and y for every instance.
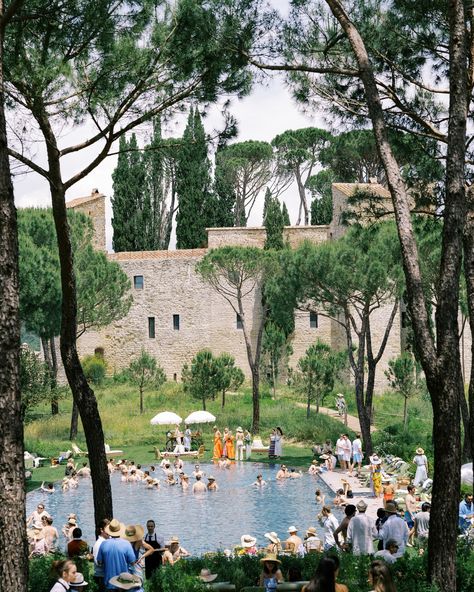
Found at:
(267, 111)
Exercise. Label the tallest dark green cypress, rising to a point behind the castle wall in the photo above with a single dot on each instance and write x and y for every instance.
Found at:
(193, 186)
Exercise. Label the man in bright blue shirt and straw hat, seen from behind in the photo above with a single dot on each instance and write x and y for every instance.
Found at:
(115, 554)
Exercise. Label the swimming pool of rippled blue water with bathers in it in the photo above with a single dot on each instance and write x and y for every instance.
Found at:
(204, 522)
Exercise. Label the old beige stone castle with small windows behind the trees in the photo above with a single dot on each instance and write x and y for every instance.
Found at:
(175, 314)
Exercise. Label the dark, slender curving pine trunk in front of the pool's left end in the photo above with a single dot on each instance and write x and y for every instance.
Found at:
(82, 393)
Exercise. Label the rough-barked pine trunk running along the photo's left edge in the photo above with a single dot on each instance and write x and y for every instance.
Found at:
(13, 545)
